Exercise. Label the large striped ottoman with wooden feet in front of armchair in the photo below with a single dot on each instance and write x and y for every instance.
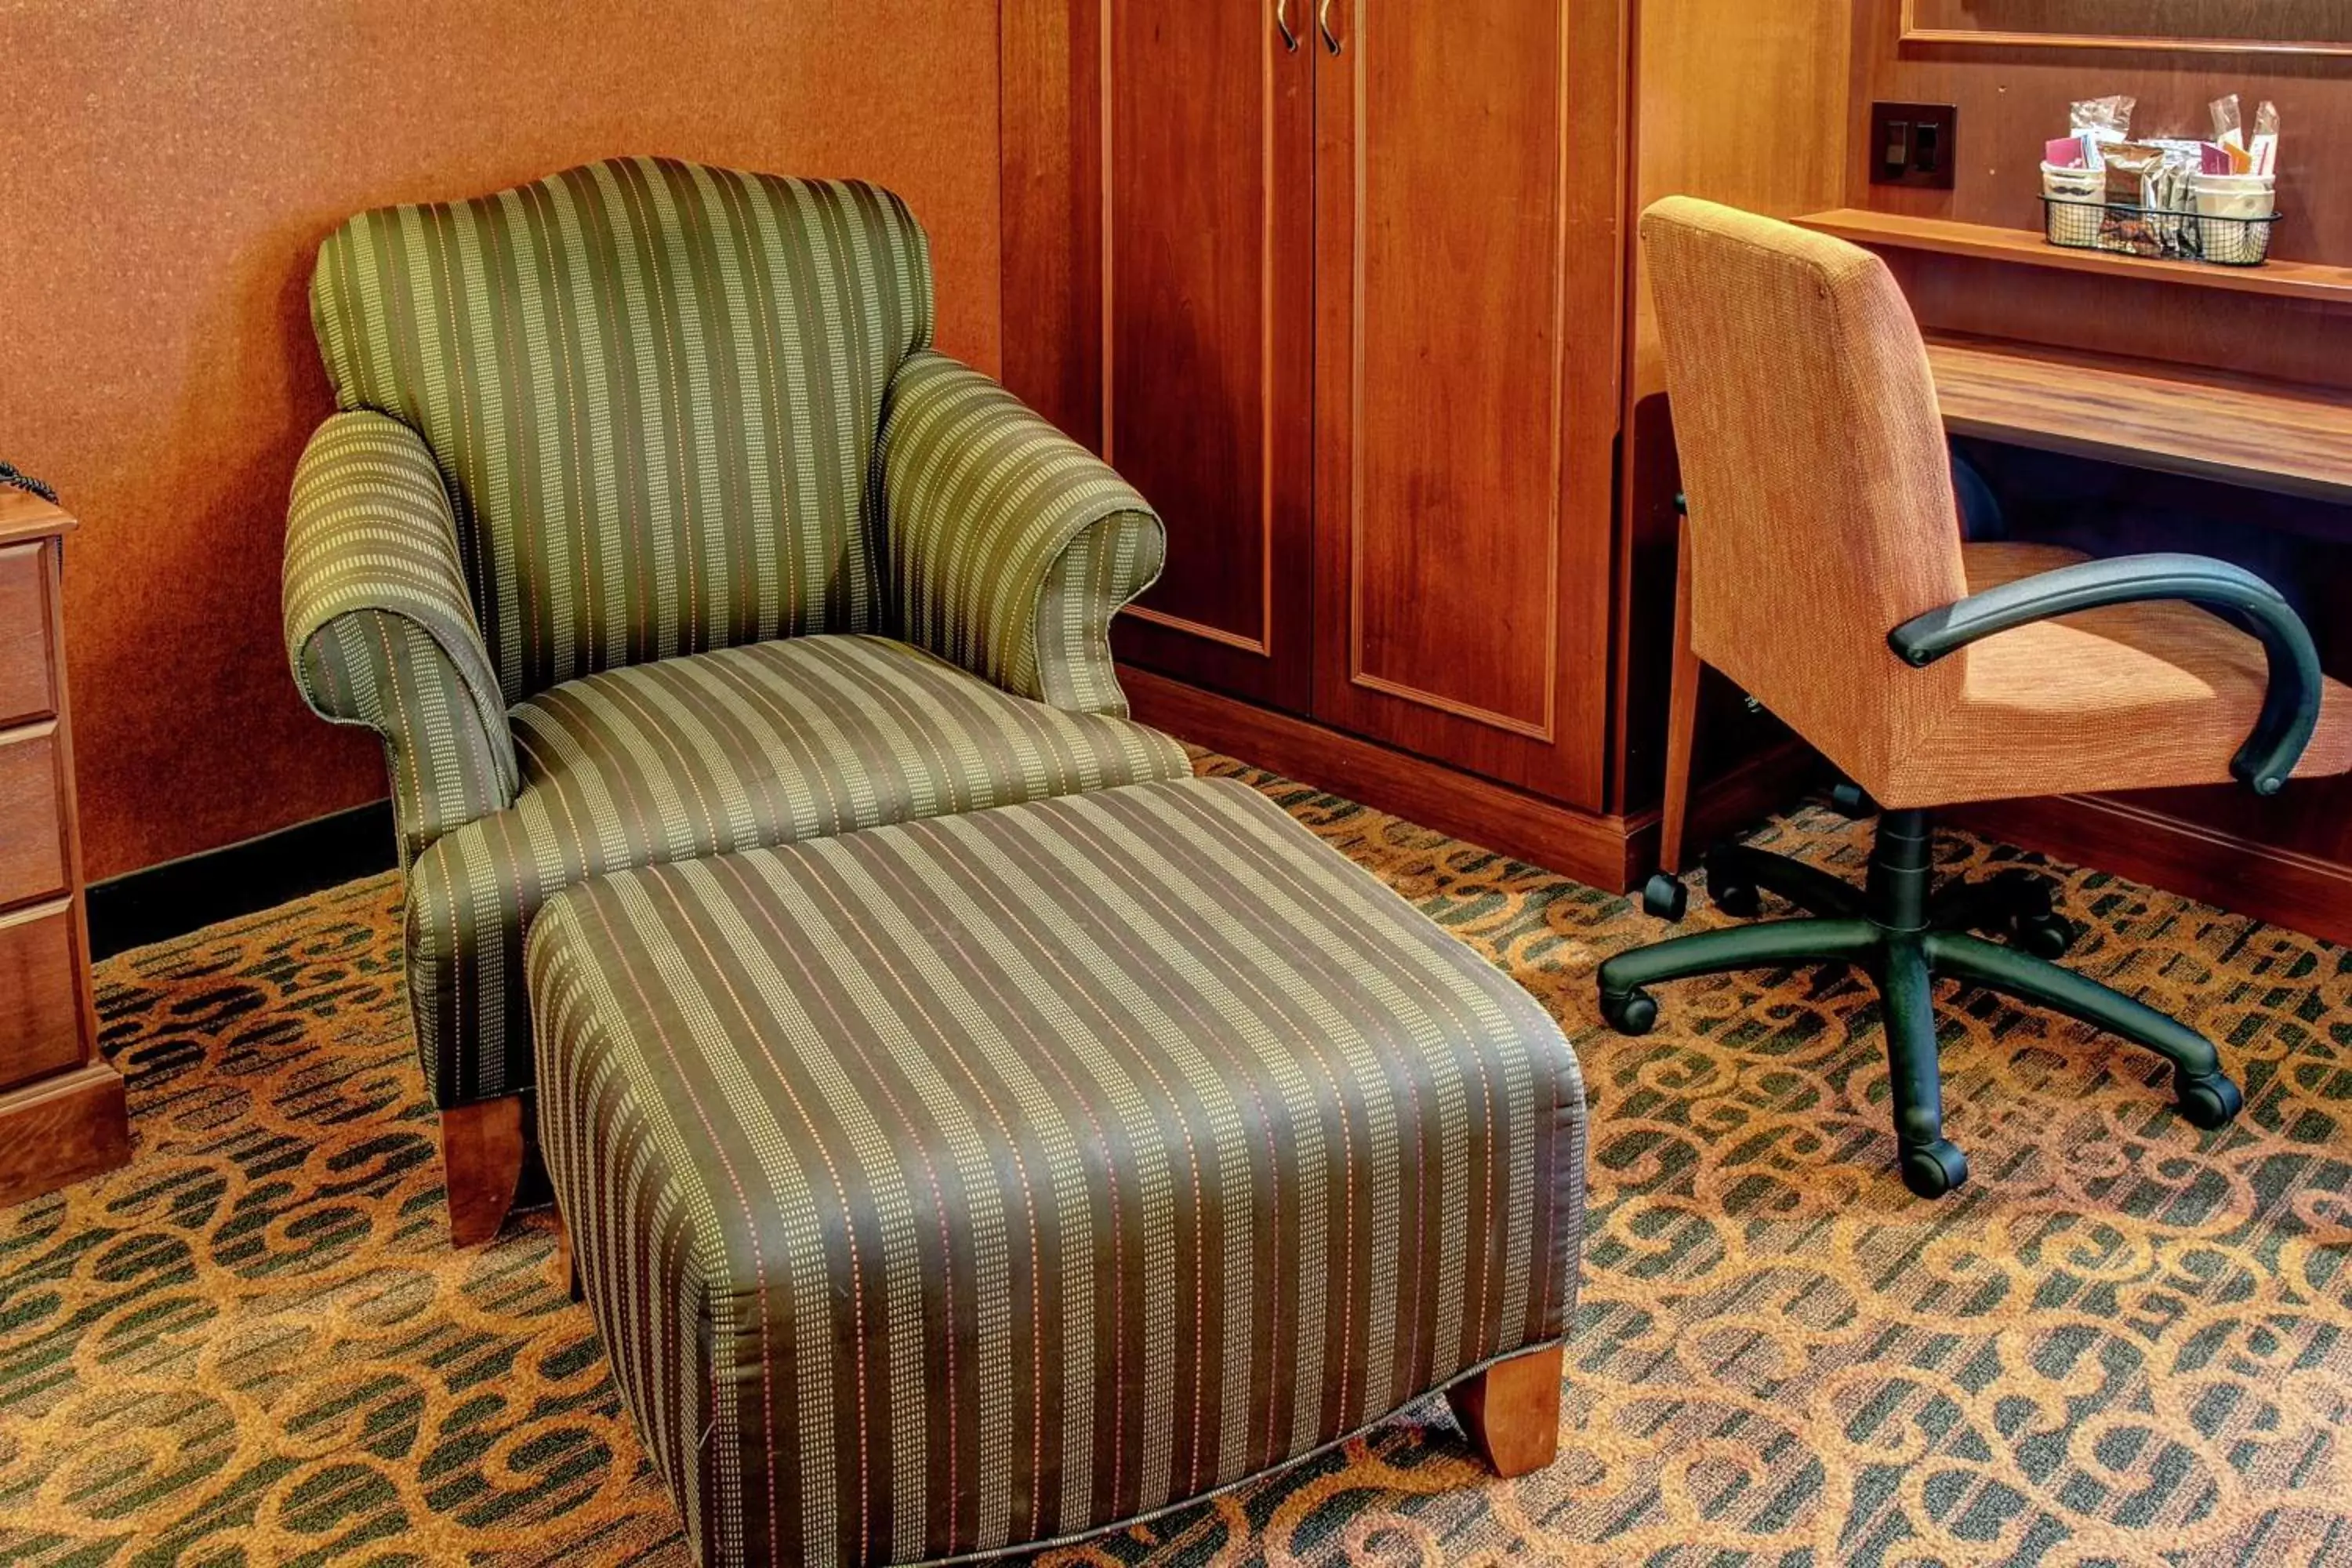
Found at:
(996, 1179)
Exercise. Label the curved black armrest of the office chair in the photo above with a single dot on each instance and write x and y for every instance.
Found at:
(2290, 704)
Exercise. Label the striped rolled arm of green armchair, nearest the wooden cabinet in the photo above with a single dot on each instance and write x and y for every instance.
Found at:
(1008, 544)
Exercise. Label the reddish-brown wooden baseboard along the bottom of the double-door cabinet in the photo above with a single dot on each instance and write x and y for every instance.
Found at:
(1608, 852)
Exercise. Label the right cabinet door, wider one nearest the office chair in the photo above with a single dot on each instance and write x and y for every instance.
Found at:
(1466, 375)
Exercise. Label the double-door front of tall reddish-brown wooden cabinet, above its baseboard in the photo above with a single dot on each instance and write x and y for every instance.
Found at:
(1351, 326)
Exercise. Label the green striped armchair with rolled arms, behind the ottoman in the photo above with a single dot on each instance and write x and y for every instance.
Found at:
(653, 528)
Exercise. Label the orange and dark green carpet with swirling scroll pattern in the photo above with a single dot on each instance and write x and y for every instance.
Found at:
(2123, 1343)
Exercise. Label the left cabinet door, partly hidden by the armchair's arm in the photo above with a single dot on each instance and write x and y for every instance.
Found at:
(1208, 328)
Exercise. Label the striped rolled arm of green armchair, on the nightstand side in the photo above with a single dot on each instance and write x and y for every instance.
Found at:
(380, 626)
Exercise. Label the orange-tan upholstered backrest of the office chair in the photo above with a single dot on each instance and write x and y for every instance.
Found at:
(1817, 474)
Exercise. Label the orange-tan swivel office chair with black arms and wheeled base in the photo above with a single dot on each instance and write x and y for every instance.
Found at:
(1831, 582)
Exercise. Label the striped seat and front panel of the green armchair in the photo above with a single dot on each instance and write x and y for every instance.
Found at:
(751, 746)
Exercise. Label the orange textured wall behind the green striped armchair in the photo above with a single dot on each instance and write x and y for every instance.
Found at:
(168, 170)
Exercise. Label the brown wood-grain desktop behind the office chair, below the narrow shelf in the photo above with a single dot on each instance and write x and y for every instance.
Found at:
(2144, 415)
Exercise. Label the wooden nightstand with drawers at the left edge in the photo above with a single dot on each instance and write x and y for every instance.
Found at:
(60, 1104)
